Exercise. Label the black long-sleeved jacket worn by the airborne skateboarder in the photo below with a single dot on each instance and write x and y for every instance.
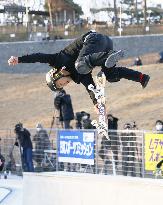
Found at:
(67, 58)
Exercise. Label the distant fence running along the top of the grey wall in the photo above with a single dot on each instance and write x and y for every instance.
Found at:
(15, 32)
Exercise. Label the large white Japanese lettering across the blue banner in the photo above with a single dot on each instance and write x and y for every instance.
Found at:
(77, 148)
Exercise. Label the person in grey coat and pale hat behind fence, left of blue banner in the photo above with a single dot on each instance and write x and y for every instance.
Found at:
(42, 143)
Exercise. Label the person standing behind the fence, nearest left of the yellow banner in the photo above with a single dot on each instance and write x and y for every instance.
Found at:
(129, 146)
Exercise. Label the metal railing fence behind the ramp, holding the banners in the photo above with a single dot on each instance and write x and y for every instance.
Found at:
(125, 152)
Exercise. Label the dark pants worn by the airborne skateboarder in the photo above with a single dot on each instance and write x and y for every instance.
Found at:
(95, 51)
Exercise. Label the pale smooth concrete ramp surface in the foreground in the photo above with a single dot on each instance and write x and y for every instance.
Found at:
(85, 189)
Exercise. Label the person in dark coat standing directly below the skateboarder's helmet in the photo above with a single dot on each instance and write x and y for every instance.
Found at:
(63, 104)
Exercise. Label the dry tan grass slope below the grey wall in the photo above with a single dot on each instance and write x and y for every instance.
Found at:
(26, 98)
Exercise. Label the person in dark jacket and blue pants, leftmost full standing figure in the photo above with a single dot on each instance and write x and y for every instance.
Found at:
(24, 140)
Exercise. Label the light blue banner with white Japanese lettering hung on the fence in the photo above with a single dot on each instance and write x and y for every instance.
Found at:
(76, 146)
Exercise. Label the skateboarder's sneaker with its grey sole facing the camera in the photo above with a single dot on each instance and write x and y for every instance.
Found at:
(113, 58)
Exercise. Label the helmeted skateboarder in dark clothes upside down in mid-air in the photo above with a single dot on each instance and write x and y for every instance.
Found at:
(76, 61)
